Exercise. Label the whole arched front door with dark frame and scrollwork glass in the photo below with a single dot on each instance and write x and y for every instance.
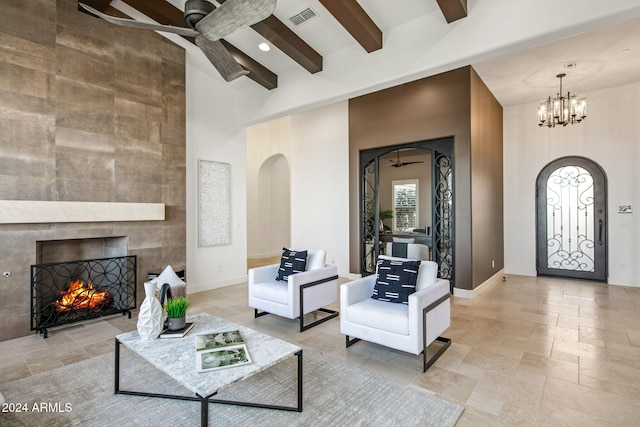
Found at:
(571, 219)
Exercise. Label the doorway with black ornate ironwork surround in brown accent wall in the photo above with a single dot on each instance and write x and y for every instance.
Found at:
(436, 222)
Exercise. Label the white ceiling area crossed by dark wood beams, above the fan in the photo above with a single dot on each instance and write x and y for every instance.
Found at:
(348, 17)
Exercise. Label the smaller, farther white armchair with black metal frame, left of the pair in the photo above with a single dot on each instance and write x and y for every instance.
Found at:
(302, 293)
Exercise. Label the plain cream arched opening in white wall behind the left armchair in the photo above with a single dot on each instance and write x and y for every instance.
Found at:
(269, 210)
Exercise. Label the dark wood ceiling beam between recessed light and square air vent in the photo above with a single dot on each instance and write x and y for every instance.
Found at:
(281, 36)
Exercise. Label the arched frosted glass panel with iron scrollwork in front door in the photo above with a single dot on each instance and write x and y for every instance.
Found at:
(570, 219)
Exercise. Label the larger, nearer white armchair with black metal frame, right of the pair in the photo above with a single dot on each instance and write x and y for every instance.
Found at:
(408, 327)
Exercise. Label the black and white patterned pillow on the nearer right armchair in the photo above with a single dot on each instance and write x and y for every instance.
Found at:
(395, 280)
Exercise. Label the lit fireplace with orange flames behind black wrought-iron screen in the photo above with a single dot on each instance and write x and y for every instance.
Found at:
(71, 291)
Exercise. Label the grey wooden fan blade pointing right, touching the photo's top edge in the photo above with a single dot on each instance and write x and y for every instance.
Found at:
(233, 14)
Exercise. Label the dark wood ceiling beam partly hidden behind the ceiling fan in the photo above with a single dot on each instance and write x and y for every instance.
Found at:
(165, 13)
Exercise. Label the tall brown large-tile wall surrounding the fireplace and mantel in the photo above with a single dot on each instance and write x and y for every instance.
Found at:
(88, 112)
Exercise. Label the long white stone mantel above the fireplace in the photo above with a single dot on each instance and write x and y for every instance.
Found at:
(33, 211)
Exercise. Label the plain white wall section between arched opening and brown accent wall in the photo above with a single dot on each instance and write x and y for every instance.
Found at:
(320, 182)
